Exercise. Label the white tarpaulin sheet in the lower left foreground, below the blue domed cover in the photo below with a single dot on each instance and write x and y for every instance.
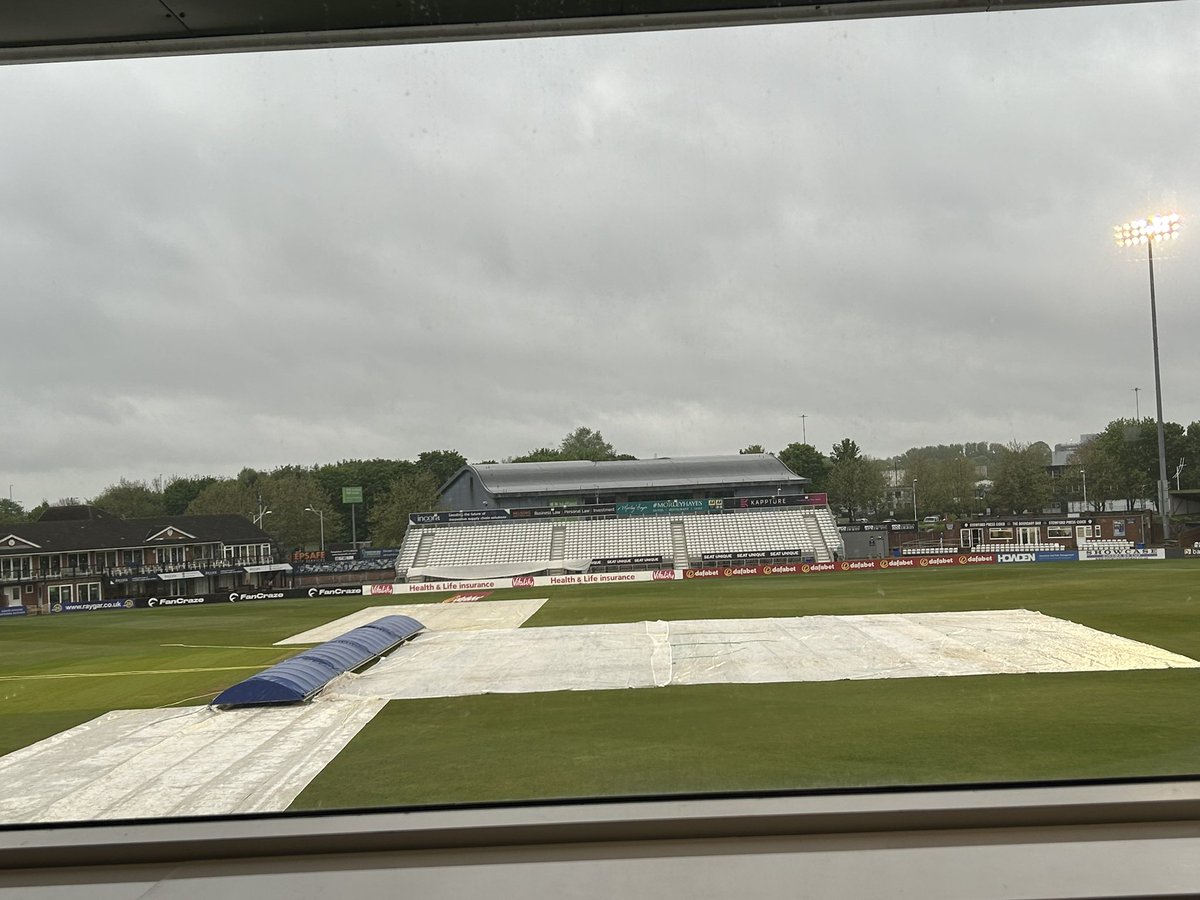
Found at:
(190, 761)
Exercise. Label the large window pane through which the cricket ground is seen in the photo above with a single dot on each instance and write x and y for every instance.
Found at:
(298, 292)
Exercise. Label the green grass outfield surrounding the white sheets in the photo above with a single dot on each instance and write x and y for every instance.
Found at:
(57, 673)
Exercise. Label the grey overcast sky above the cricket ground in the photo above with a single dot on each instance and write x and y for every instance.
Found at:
(899, 229)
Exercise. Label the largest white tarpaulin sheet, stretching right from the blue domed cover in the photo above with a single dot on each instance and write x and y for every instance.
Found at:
(814, 649)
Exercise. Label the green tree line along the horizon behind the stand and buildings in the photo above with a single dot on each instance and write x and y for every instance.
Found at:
(1120, 464)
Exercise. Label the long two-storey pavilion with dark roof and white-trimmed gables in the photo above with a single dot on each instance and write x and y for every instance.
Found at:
(75, 556)
